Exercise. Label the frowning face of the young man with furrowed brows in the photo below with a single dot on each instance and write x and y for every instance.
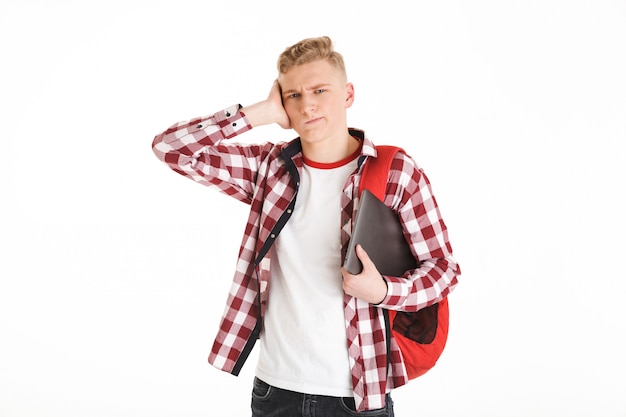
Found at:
(315, 97)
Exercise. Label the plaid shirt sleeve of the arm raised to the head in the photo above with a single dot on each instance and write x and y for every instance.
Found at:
(195, 150)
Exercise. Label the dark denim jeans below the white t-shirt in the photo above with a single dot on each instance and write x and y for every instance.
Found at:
(269, 401)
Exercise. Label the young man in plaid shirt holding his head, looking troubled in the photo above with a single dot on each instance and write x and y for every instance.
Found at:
(321, 329)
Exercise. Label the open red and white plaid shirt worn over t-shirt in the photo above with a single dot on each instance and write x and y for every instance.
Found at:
(266, 176)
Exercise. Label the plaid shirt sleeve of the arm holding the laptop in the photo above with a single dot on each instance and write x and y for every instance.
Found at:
(437, 272)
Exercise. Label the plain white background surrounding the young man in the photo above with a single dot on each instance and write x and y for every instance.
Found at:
(115, 270)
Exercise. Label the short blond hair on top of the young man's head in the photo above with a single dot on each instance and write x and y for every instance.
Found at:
(309, 50)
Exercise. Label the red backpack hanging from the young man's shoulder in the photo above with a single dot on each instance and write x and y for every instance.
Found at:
(420, 335)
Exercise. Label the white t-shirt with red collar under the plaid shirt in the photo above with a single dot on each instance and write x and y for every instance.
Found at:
(303, 342)
